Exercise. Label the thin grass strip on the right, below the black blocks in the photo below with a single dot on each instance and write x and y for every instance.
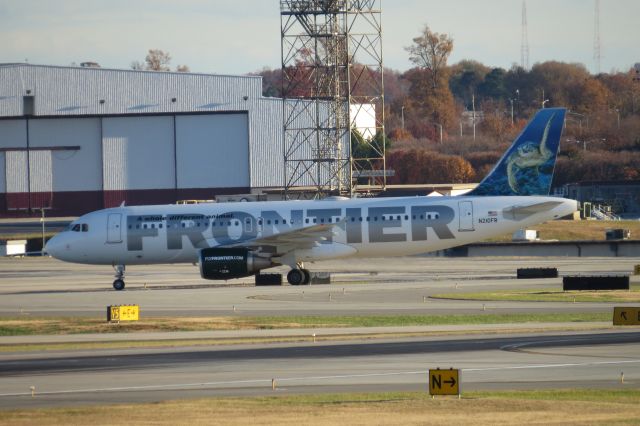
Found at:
(610, 296)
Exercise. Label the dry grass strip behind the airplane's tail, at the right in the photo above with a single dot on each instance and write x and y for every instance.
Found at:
(569, 230)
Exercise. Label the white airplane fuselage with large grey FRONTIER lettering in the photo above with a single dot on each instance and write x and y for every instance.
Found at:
(362, 227)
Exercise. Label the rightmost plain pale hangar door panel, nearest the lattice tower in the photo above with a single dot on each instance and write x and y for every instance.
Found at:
(212, 151)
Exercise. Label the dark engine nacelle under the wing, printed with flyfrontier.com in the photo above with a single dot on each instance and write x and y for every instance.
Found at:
(229, 263)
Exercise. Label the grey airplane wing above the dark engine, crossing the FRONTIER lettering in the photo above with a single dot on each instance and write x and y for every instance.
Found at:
(296, 239)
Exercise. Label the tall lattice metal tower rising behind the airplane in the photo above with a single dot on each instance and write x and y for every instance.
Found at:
(332, 72)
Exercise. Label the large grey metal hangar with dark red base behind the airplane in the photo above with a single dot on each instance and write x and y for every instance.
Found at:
(76, 139)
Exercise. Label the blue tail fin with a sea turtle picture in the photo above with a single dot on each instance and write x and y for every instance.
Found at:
(527, 166)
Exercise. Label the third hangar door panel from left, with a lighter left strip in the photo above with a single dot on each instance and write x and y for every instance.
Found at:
(138, 153)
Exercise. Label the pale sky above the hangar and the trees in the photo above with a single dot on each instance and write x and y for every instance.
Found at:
(241, 36)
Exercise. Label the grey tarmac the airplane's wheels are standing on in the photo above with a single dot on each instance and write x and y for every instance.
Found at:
(46, 287)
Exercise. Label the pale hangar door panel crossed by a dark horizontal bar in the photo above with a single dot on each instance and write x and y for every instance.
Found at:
(69, 165)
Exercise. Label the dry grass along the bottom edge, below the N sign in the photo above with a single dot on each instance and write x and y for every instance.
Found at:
(355, 409)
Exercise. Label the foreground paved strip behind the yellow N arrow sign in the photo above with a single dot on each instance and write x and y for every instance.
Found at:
(487, 362)
